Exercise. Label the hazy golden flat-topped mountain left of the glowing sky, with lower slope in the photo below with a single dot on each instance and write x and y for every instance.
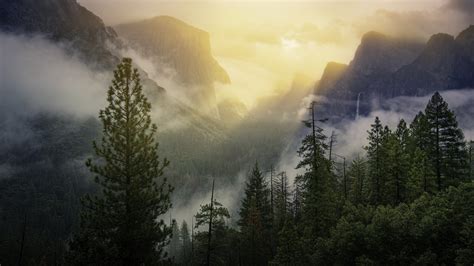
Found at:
(172, 44)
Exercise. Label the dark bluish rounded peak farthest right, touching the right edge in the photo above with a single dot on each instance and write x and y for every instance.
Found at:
(443, 64)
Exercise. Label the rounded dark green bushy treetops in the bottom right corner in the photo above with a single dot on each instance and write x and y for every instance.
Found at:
(433, 230)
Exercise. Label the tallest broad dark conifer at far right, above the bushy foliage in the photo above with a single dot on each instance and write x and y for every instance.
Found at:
(446, 147)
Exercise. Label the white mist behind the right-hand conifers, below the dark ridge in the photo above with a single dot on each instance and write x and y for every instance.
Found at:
(352, 135)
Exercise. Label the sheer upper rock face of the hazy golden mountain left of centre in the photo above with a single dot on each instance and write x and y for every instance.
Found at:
(178, 45)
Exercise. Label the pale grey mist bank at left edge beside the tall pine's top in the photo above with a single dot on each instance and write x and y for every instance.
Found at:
(38, 75)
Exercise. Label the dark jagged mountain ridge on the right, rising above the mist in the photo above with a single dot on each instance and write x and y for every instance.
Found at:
(385, 67)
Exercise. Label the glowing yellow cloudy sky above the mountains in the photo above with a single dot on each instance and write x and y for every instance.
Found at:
(266, 42)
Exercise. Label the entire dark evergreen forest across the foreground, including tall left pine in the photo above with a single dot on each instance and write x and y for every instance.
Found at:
(407, 199)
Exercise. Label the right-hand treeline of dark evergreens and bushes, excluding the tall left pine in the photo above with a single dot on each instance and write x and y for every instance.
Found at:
(409, 200)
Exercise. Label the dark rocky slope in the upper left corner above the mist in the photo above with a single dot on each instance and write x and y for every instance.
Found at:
(62, 21)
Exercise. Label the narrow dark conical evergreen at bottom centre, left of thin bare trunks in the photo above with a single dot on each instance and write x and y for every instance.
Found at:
(256, 220)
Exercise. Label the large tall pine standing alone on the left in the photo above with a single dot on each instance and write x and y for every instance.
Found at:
(120, 225)
